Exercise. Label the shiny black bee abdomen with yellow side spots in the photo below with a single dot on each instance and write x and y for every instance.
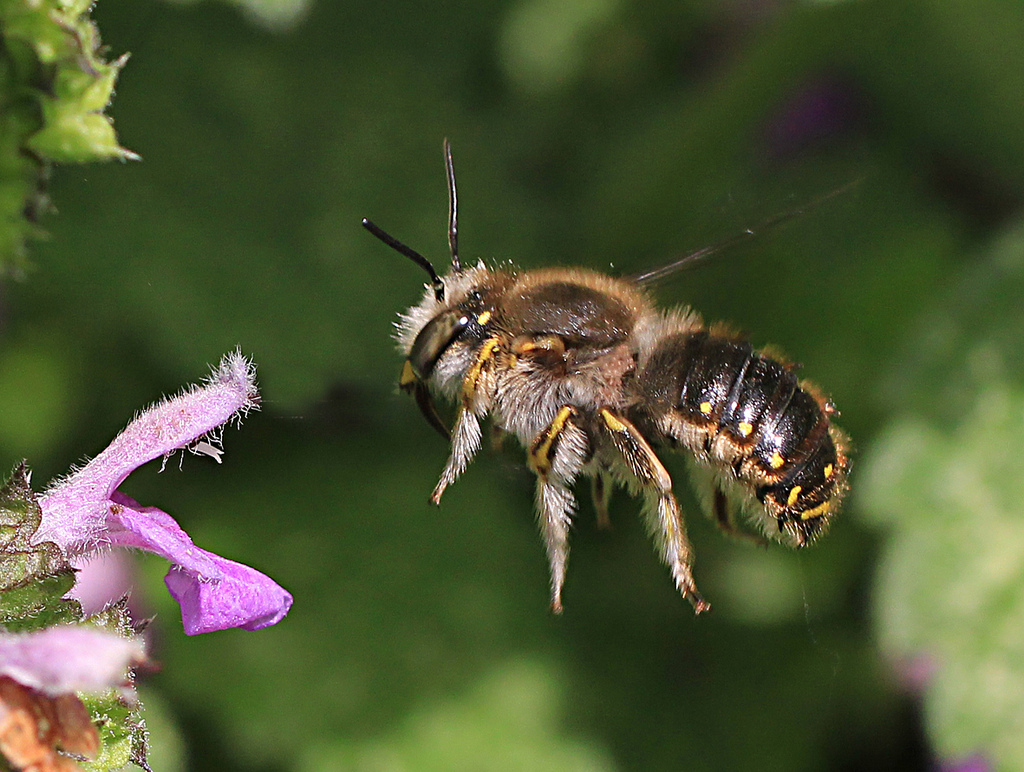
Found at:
(741, 410)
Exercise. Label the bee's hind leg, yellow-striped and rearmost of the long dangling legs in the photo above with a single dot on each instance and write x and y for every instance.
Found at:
(661, 507)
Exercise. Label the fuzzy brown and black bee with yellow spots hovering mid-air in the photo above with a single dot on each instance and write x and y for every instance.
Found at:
(591, 378)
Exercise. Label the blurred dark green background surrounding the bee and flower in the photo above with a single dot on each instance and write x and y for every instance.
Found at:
(610, 134)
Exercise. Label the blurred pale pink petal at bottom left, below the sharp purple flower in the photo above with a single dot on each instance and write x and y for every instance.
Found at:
(63, 660)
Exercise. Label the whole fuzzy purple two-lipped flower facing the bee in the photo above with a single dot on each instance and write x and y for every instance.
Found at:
(86, 513)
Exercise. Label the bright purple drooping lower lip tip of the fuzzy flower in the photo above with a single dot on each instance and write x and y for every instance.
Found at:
(242, 598)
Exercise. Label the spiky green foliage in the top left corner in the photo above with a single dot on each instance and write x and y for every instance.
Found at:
(55, 85)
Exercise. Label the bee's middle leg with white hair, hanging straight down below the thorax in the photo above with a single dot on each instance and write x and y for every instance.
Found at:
(557, 457)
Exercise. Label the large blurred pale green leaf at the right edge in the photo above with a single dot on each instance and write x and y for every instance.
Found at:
(949, 494)
